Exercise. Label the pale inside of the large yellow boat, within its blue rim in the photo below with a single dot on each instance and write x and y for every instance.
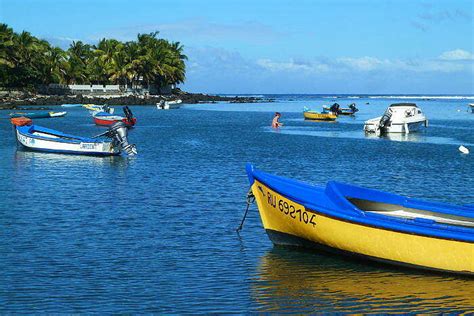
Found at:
(400, 211)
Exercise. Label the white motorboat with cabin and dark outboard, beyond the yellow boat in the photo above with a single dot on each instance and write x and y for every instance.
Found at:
(398, 118)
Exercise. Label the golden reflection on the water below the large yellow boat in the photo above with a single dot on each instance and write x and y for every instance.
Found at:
(304, 281)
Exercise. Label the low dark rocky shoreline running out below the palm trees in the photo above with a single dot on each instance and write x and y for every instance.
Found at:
(14, 100)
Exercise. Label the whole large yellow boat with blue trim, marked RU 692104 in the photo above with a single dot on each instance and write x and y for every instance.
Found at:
(365, 223)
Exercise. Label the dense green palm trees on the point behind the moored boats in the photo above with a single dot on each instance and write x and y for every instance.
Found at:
(27, 61)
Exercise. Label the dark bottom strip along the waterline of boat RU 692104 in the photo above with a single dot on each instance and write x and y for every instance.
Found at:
(288, 240)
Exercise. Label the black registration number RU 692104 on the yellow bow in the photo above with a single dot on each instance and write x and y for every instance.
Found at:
(287, 208)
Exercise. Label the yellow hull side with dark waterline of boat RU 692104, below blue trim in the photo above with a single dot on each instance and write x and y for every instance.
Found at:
(290, 223)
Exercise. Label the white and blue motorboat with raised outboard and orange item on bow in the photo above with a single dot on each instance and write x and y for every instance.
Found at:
(38, 138)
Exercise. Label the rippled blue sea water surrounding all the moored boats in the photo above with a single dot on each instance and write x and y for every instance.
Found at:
(156, 232)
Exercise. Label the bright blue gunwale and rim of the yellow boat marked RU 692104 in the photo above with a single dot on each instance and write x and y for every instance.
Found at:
(332, 203)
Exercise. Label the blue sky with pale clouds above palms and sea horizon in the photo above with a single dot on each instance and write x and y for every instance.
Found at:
(279, 46)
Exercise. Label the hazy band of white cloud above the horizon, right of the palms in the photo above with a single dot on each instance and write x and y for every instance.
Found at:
(217, 70)
